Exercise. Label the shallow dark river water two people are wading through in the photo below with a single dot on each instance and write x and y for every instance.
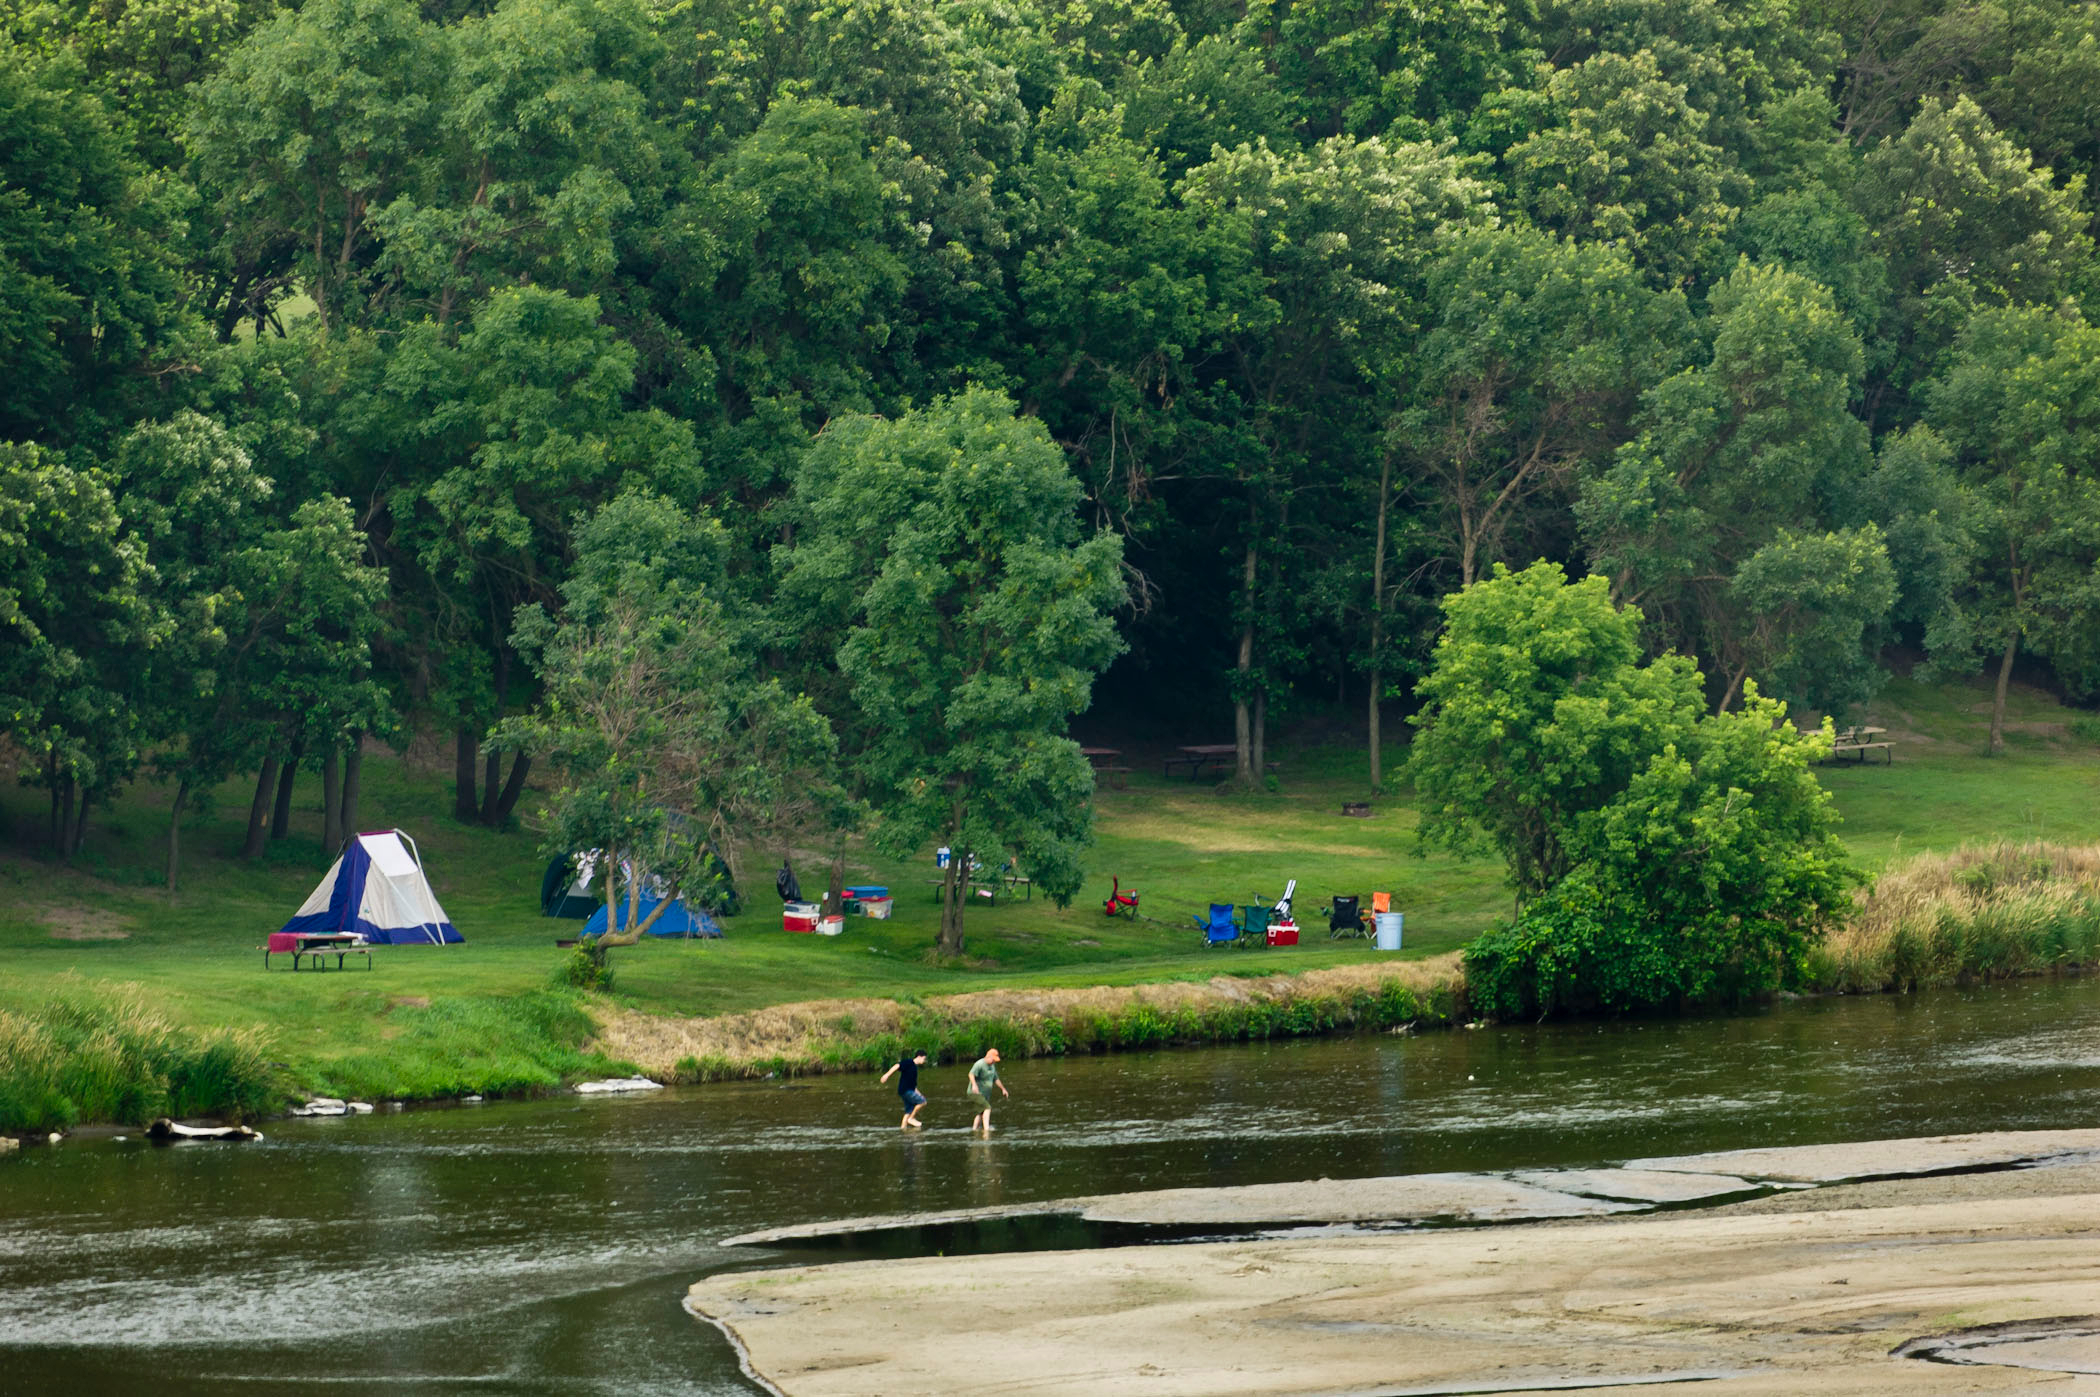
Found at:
(545, 1247)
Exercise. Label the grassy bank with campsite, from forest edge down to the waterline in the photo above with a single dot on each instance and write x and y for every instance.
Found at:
(486, 1016)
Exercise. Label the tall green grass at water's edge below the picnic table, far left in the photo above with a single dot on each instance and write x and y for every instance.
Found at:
(112, 1060)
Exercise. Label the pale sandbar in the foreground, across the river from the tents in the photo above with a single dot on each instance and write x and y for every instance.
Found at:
(1801, 1291)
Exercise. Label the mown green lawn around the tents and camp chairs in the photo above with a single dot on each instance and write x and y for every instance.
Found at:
(196, 955)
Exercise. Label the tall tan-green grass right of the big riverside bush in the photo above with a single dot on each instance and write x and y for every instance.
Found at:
(1979, 913)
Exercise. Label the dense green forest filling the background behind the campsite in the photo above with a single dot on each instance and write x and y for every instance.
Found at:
(331, 329)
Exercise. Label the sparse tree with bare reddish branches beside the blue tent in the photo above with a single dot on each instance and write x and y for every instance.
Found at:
(665, 747)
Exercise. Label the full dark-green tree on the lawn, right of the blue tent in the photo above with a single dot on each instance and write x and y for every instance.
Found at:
(975, 621)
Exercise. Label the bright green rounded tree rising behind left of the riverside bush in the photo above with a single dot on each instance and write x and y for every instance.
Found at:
(1536, 713)
